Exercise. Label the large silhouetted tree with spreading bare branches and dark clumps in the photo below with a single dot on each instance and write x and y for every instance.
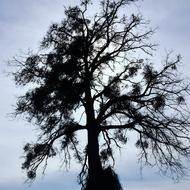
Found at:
(92, 65)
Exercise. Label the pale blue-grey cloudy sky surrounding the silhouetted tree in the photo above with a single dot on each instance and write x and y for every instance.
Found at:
(23, 23)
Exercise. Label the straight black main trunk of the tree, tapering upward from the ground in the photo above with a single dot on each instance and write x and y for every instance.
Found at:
(95, 171)
